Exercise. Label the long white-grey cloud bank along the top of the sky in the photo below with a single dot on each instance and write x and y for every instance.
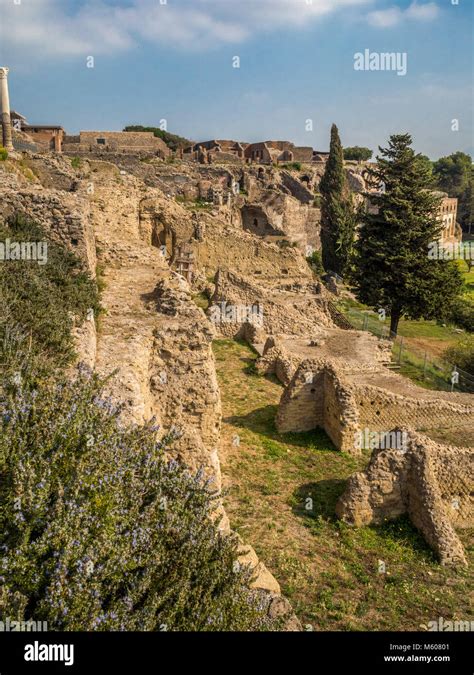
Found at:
(48, 27)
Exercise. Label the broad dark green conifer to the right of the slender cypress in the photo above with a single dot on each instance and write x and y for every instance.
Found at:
(392, 267)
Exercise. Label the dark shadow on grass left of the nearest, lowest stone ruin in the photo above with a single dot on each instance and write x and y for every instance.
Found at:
(318, 500)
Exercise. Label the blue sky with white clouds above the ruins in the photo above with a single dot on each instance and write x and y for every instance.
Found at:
(174, 61)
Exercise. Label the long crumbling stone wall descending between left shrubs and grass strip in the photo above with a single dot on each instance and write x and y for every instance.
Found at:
(154, 339)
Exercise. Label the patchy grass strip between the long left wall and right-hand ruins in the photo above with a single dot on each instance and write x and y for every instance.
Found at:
(327, 569)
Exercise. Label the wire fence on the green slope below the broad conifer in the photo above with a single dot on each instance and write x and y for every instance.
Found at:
(417, 364)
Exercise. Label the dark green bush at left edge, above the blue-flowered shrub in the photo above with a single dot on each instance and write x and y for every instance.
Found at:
(41, 303)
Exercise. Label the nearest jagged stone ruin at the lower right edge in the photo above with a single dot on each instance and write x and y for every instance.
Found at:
(430, 482)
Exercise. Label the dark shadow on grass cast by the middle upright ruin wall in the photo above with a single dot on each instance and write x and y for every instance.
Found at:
(262, 421)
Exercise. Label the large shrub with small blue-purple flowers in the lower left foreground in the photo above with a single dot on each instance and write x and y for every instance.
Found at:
(99, 531)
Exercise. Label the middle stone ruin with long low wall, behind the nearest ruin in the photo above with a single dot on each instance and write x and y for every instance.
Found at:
(346, 396)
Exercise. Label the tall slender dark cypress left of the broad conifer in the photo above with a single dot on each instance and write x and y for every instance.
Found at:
(338, 215)
